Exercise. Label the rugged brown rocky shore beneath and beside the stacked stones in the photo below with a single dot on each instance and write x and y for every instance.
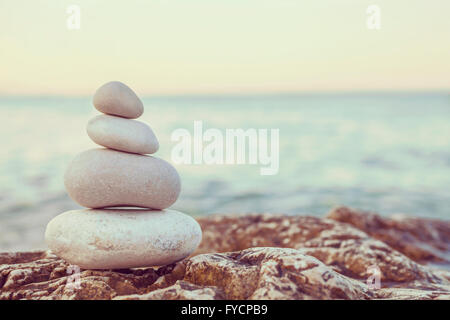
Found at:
(264, 256)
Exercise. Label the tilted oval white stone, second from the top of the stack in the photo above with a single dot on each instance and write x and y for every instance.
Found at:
(122, 134)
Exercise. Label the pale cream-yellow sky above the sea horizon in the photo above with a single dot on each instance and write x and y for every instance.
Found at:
(227, 46)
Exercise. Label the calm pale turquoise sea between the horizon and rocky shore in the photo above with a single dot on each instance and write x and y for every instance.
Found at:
(383, 152)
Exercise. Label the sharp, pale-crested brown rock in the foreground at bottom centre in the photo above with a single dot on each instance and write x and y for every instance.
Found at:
(272, 273)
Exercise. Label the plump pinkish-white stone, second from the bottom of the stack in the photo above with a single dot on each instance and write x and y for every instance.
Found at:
(100, 178)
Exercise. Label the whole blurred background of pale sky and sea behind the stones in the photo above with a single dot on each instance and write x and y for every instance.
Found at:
(363, 114)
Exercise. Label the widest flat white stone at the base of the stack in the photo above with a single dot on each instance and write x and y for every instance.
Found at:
(113, 239)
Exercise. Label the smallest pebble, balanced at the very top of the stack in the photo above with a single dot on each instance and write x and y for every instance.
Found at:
(116, 98)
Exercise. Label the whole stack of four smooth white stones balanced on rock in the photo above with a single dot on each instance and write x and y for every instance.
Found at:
(109, 236)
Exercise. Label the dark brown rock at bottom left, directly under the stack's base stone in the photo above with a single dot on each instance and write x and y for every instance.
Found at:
(47, 278)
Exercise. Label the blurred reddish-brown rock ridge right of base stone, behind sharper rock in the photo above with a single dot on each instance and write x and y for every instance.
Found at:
(349, 250)
